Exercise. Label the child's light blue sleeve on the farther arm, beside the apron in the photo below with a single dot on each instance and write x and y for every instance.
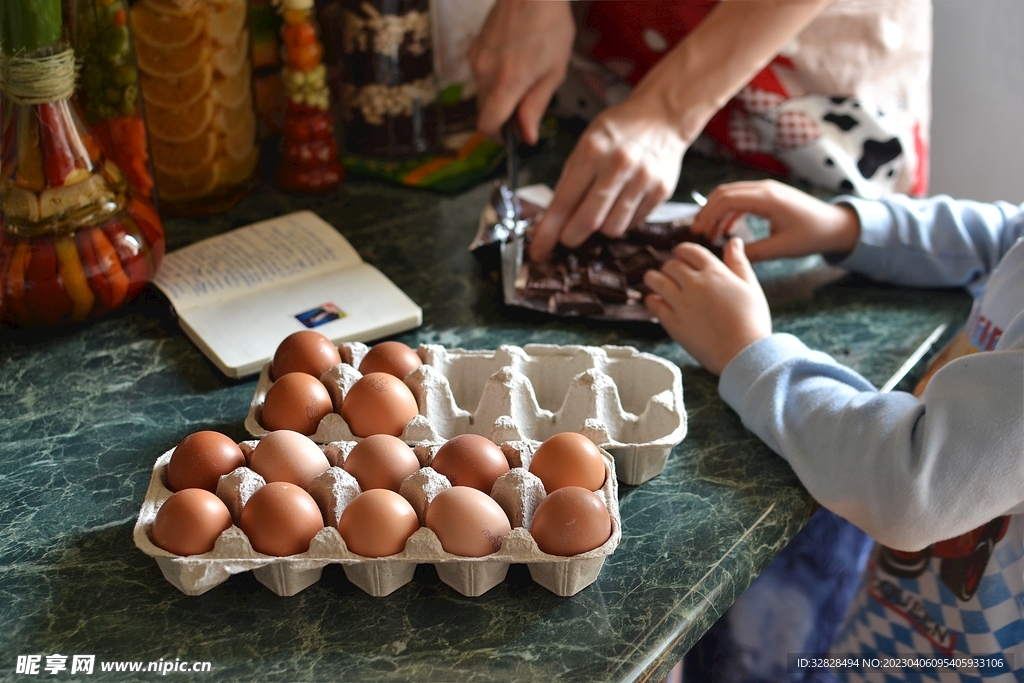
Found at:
(938, 242)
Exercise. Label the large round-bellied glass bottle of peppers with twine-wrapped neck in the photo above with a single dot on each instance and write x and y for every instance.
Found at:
(78, 241)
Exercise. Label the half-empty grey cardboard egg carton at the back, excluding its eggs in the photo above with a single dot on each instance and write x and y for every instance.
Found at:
(633, 401)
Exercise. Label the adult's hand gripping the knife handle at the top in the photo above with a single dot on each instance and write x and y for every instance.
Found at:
(520, 60)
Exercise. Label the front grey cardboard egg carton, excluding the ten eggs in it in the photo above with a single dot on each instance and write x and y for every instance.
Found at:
(519, 493)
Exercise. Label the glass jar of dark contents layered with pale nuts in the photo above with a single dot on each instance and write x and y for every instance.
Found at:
(390, 106)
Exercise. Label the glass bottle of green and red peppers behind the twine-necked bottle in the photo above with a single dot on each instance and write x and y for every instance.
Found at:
(109, 90)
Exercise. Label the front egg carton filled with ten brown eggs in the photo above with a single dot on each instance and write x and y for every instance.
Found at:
(471, 537)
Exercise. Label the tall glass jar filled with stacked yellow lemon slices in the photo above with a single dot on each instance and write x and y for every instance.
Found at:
(197, 87)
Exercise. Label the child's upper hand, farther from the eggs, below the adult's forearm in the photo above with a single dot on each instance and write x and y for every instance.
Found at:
(801, 225)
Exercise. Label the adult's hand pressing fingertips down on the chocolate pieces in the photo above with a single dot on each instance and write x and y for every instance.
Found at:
(626, 163)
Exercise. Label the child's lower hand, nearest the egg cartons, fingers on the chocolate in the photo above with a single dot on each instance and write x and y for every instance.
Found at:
(713, 309)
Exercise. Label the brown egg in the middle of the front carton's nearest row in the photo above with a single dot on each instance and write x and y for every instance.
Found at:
(377, 524)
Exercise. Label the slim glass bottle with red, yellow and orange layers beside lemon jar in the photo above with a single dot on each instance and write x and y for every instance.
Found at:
(310, 159)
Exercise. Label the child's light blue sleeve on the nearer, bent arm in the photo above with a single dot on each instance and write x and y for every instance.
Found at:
(909, 472)
